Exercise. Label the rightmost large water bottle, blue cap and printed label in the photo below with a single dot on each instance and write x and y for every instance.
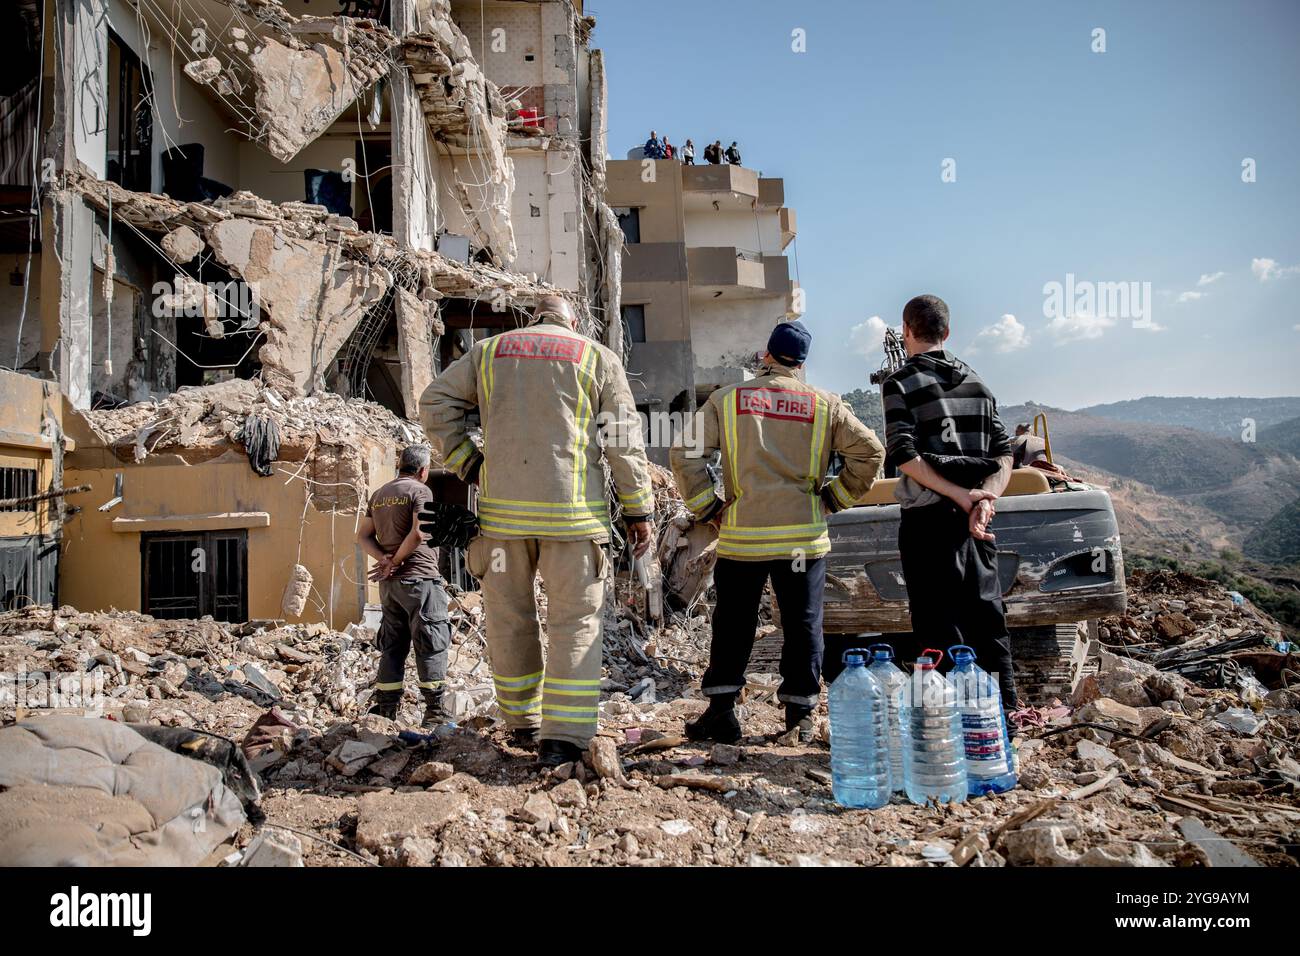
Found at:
(989, 747)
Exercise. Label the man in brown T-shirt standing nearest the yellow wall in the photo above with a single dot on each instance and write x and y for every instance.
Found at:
(411, 591)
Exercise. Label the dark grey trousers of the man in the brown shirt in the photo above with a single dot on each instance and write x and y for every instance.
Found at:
(415, 612)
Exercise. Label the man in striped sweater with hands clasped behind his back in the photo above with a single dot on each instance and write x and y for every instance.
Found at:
(955, 458)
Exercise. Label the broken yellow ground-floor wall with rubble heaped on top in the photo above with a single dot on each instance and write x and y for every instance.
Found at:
(185, 469)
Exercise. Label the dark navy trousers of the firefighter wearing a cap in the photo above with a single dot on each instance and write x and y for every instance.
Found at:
(799, 594)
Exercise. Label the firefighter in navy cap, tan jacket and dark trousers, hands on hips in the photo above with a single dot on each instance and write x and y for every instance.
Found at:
(775, 435)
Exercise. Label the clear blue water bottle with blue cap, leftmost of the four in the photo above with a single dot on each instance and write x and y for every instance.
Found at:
(860, 737)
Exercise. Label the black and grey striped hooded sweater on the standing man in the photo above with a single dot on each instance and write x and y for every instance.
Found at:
(937, 404)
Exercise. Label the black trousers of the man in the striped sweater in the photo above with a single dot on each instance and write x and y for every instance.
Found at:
(954, 591)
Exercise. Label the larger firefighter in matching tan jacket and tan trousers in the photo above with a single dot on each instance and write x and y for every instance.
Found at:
(547, 397)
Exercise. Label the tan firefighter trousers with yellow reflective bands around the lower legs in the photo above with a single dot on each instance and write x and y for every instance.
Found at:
(556, 693)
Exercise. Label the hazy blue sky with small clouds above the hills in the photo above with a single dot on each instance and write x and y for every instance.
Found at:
(1115, 167)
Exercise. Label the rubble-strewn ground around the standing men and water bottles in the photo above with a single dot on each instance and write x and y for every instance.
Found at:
(1191, 775)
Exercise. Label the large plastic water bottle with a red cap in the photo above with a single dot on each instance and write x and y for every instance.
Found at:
(934, 755)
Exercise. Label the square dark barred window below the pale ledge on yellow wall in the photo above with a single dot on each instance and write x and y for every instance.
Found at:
(192, 574)
